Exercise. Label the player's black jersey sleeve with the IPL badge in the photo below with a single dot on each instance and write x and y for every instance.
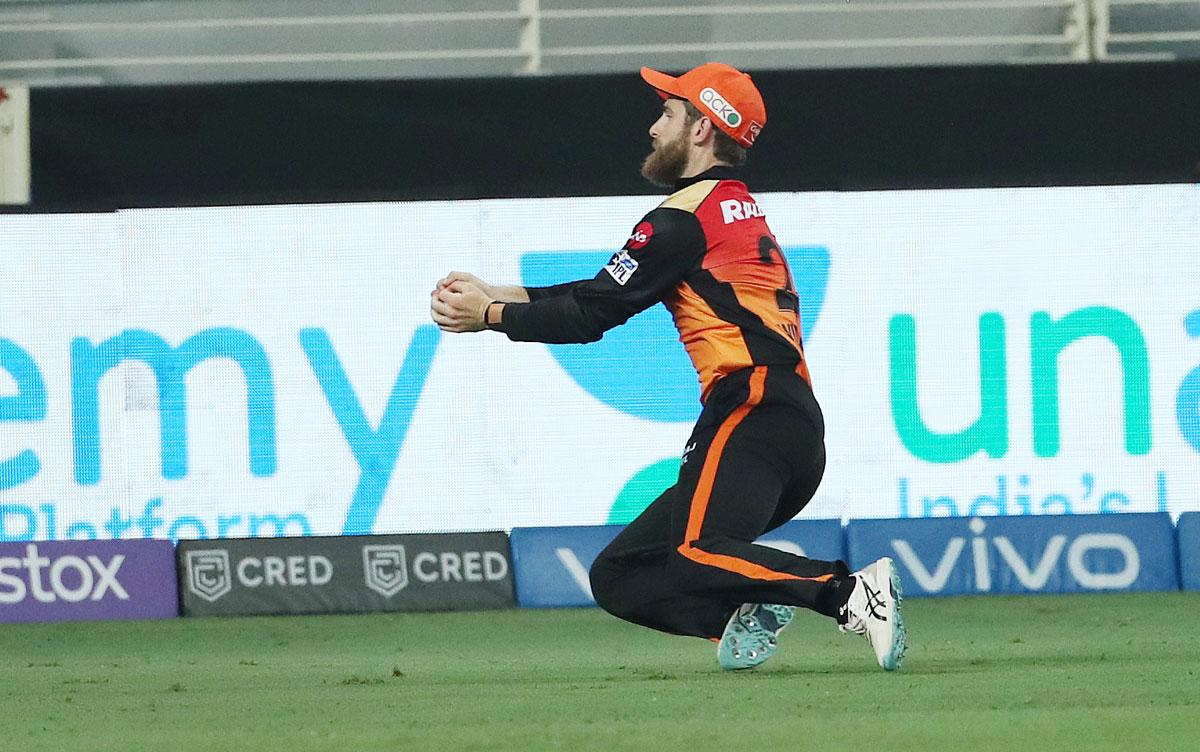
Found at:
(665, 246)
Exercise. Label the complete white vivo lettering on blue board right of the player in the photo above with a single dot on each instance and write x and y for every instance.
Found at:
(1033, 573)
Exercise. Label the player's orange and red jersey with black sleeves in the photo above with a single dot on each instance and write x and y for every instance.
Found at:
(706, 254)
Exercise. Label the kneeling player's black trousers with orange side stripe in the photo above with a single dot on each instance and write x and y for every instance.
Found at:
(753, 462)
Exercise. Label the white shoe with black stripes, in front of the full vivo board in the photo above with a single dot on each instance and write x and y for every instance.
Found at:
(874, 612)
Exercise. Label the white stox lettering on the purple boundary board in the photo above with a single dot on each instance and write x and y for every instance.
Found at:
(65, 579)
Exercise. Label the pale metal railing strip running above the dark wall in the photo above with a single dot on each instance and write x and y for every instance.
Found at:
(169, 43)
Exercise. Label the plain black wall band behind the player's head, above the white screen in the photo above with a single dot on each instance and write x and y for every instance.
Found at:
(529, 137)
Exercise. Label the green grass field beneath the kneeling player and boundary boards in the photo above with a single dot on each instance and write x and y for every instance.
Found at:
(1019, 675)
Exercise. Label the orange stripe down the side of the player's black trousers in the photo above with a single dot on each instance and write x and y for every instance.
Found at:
(704, 494)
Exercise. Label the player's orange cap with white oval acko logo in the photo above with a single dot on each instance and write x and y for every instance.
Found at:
(724, 94)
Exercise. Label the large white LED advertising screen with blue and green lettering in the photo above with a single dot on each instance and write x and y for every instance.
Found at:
(267, 371)
